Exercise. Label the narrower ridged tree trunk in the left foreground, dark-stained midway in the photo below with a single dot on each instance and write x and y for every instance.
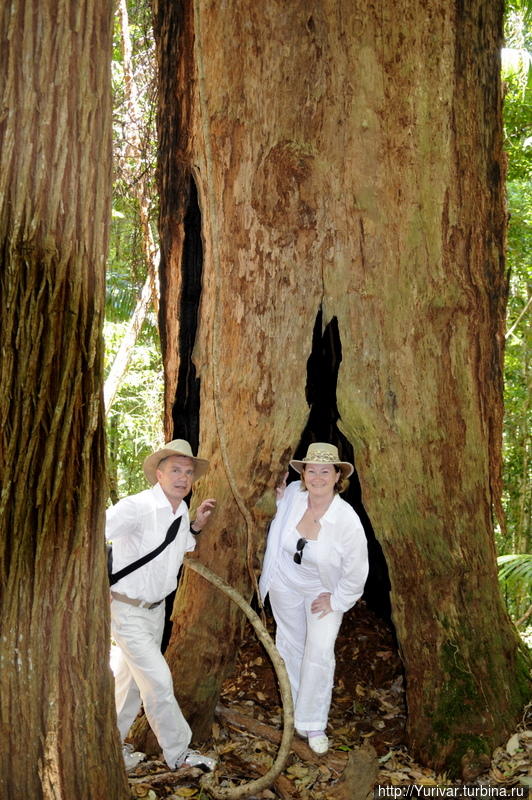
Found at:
(57, 719)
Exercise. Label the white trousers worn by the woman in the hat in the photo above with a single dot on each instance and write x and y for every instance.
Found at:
(306, 643)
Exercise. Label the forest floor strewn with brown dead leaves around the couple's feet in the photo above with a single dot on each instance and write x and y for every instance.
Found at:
(366, 730)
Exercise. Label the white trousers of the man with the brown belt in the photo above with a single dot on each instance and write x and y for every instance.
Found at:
(143, 676)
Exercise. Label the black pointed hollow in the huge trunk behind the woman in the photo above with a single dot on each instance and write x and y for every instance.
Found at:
(322, 426)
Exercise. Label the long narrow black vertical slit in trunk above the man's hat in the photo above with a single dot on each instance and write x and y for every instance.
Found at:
(185, 411)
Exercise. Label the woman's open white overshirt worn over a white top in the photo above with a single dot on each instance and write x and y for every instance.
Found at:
(342, 552)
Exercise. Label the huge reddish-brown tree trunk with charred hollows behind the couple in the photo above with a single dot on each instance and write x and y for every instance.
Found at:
(347, 158)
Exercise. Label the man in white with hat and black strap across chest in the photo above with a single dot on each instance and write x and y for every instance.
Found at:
(136, 526)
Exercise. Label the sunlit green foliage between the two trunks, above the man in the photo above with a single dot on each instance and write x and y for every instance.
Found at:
(134, 424)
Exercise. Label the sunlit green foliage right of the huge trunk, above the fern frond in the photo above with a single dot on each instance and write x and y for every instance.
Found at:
(517, 477)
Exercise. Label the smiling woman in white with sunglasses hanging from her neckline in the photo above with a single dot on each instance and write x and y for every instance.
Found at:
(315, 567)
